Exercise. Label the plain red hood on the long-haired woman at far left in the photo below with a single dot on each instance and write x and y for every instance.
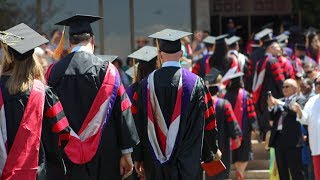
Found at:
(22, 160)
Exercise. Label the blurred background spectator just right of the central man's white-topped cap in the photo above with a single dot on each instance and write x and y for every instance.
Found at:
(198, 47)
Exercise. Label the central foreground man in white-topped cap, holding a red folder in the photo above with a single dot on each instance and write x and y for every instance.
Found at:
(176, 118)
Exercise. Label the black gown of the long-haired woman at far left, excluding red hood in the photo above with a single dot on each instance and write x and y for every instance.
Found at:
(50, 157)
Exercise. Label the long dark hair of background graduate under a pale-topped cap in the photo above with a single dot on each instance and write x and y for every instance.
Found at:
(219, 59)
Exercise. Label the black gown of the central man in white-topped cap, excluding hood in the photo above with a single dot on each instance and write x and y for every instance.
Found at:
(186, 157)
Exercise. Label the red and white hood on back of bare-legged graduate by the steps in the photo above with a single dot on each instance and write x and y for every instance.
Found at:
(240, 109)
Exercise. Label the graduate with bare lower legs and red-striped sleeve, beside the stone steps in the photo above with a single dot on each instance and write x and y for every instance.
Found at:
(244, 110)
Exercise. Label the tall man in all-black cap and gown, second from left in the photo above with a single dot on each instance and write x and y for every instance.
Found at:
(97, 107)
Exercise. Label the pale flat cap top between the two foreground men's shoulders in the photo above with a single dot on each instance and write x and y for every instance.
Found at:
(146, 53)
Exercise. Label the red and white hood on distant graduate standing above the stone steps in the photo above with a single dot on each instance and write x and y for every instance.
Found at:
(258, 79)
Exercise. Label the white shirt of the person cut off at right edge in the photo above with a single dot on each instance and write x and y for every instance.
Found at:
(311, 117)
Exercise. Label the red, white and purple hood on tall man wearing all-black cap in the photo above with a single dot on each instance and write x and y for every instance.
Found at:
(82, 146)
